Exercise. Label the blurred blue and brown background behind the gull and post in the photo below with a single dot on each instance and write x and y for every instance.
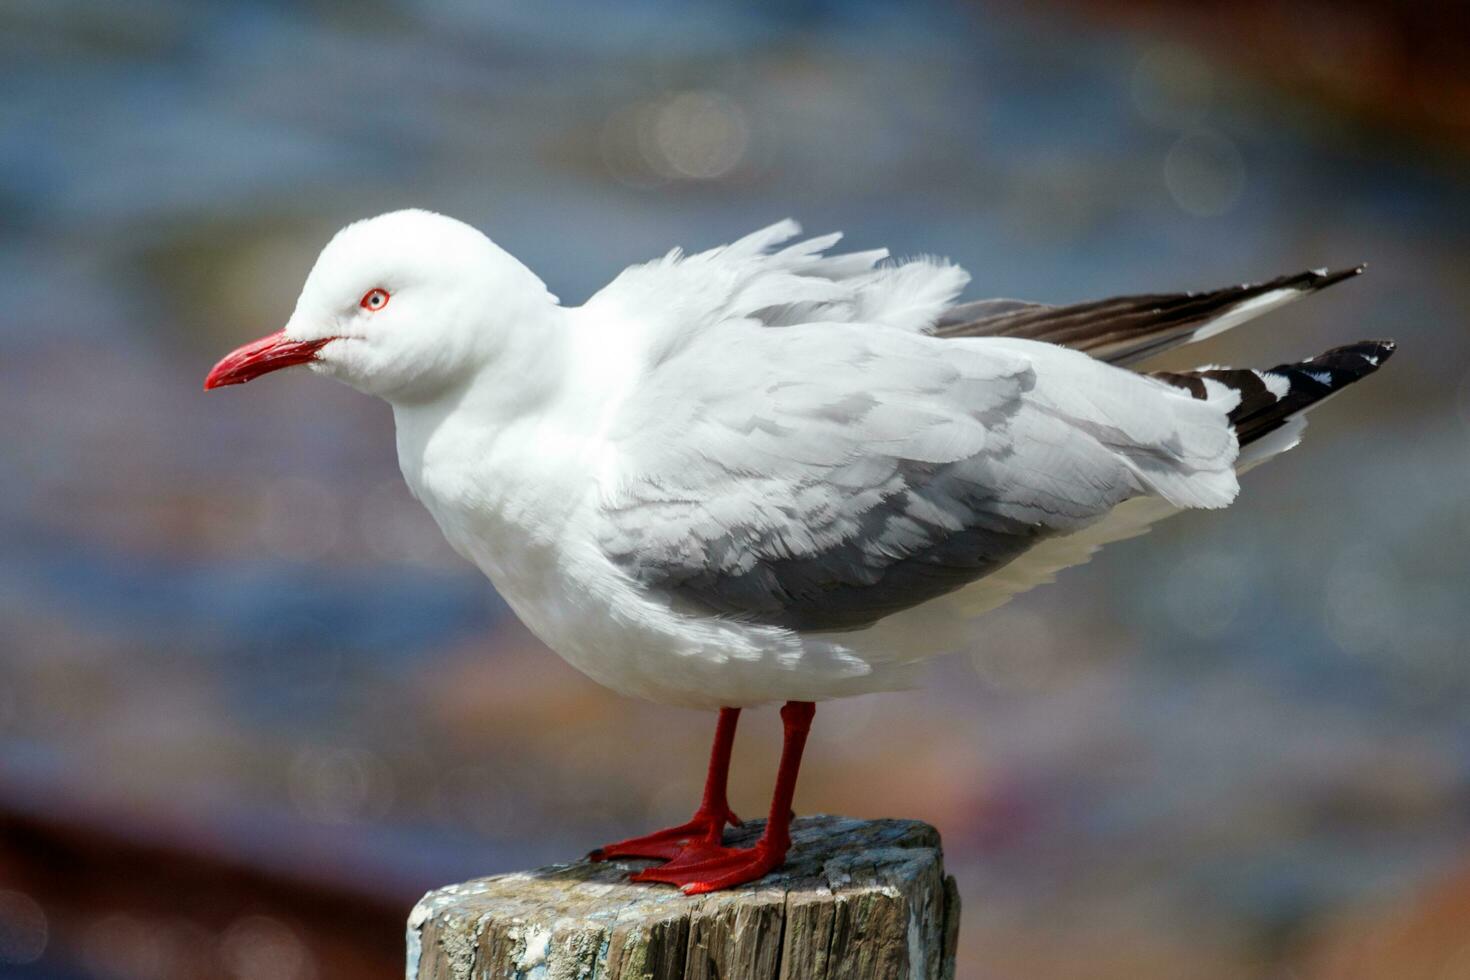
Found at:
(252, 706)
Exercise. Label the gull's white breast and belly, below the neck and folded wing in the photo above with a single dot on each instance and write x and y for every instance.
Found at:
(518, 506)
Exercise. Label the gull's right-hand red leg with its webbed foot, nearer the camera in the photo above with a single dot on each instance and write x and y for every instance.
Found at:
(712, 869)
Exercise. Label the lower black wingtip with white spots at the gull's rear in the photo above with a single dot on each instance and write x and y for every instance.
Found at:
(1271, 403)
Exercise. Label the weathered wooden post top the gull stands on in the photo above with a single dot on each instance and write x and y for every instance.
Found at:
(862, 900)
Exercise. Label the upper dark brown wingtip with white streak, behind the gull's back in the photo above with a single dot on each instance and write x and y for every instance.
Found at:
(1128, 330)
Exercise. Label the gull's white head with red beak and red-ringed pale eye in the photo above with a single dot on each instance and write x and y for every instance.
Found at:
(402, 306)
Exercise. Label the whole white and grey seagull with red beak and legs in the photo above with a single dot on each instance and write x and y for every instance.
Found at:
(772, 474)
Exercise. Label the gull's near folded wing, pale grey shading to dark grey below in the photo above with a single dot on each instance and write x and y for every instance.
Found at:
(822, 478)
